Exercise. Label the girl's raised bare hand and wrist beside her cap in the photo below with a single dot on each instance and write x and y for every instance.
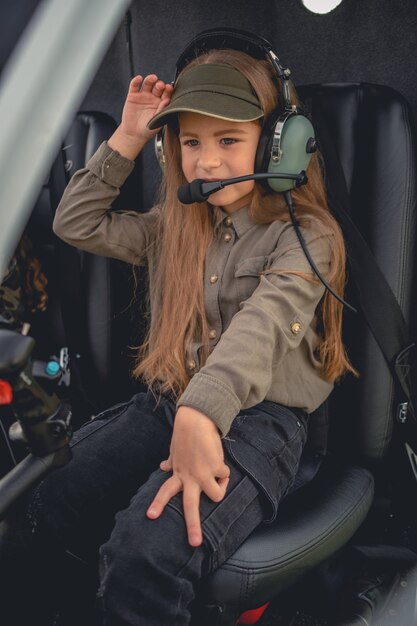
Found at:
(146, 97)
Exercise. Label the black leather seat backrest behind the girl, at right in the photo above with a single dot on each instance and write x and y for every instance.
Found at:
(375, 139)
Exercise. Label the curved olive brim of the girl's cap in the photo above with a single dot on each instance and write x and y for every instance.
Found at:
(218, 105)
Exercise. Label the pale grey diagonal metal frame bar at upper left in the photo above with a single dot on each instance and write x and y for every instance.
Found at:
(41, 89)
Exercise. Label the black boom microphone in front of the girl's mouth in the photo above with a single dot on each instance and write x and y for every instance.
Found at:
(199, 190)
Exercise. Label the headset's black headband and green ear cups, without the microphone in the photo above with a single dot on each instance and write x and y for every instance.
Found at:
(287, 140)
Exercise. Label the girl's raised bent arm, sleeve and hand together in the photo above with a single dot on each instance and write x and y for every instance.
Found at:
(83, 218)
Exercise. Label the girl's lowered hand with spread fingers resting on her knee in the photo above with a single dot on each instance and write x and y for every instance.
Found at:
(197, 464)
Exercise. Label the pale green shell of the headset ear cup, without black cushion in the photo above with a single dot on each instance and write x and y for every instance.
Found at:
(296, 150)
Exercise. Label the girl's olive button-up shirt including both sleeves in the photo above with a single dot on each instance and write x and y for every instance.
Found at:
(262, 325)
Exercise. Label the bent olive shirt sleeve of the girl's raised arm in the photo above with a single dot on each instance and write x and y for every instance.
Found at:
(83, 217)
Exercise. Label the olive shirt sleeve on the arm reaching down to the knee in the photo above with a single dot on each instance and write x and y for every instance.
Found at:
(276, 319)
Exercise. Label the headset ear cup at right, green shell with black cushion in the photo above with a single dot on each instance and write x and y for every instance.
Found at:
(297, 144)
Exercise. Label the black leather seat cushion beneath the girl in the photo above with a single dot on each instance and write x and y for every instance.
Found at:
(312, 524)
